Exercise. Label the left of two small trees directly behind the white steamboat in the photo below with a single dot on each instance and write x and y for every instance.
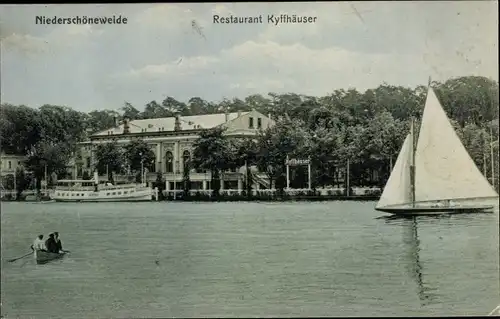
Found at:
(109, 159)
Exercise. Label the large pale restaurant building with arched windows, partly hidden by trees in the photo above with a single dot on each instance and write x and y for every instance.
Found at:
(171, 139)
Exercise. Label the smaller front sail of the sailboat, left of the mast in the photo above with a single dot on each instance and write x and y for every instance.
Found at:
(397, 189)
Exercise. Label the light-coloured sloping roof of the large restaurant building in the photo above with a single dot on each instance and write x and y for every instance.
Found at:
(193, 122)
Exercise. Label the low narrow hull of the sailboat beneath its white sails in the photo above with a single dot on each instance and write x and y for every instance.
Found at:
(412, 211)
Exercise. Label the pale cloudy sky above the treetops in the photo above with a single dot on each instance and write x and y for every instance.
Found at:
(177, 50)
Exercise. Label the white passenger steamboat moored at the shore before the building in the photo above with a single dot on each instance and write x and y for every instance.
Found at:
(93, 191)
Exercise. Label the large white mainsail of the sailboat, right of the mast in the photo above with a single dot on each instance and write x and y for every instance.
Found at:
(444, 169)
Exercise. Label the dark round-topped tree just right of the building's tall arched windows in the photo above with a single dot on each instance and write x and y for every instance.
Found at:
(211, 152)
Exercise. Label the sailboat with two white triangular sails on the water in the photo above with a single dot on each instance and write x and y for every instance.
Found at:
(436, 175)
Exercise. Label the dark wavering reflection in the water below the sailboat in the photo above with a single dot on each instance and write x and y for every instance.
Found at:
(414, 265)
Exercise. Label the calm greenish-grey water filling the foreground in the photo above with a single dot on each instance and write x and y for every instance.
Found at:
(165, 259)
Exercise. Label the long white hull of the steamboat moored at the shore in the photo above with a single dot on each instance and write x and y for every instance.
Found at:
(130, 194)
